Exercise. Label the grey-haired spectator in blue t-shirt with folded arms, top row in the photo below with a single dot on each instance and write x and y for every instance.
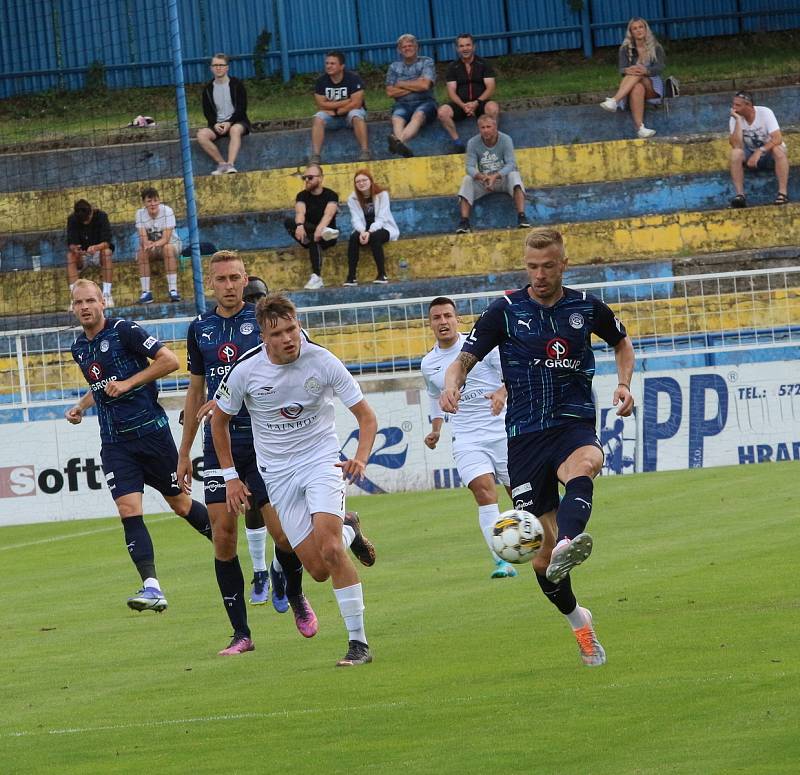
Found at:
(409, 82)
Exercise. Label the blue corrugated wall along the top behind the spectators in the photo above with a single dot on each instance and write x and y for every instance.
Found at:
(48, 45)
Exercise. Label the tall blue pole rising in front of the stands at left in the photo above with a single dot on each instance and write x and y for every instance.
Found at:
(186, 157)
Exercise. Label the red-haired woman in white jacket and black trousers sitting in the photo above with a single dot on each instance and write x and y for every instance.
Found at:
(373, 225)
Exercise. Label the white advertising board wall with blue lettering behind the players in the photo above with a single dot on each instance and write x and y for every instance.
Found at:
(706, 414)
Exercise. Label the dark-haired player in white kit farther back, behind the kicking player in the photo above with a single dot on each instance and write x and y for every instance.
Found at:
(480, 447)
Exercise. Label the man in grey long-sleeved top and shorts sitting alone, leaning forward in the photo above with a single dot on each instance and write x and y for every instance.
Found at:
(491, 167)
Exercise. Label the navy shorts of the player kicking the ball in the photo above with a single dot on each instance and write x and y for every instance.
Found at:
(534, 458)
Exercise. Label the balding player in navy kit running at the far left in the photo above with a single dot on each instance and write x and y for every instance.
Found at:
(121, 363)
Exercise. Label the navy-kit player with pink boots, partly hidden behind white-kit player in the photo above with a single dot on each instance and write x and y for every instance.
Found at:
(214, 341)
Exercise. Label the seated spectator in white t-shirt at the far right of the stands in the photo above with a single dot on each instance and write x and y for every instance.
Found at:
(756, 144)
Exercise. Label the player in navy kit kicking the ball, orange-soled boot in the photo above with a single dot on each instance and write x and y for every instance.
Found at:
(543, 333)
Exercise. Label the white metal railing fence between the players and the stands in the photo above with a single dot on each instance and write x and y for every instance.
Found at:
(694, 314)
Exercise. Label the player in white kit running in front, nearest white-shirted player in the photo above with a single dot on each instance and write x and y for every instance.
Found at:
(288, 384)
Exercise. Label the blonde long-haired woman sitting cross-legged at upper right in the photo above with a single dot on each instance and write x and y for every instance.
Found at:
(641, 62)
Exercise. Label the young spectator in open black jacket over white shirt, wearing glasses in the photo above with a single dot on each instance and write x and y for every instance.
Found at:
(225, 109)
